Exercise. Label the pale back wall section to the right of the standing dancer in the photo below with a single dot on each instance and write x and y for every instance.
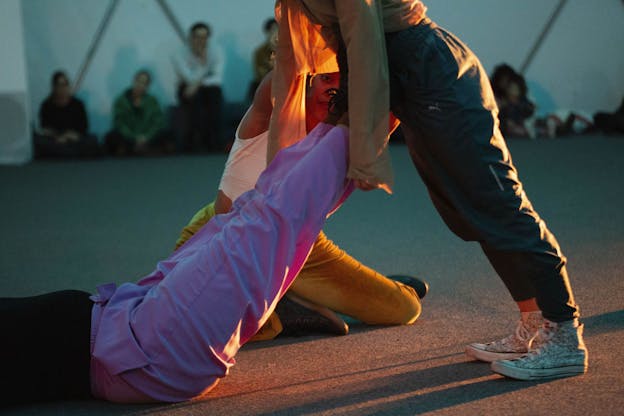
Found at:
(580, 65)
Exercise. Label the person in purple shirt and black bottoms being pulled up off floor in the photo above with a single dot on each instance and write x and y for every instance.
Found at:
(173, 335)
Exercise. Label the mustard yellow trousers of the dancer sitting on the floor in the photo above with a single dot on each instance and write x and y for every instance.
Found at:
(335, 280)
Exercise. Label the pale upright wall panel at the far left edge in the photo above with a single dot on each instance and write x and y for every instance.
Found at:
(14, 138)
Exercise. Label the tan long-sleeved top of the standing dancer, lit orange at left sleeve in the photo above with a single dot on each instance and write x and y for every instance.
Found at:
(307, 44)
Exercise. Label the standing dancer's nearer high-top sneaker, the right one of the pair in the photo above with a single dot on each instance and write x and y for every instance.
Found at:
(563, 354)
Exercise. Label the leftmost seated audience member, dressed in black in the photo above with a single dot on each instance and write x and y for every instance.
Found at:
(63, 124)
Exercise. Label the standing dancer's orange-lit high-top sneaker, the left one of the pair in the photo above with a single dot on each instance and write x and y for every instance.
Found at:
(514, 346)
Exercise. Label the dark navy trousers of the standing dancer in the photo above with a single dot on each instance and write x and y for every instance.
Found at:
(449, 117)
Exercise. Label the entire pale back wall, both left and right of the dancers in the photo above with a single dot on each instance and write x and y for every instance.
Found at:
(578, 67)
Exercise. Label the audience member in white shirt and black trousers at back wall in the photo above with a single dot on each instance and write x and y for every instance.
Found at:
(199, 67)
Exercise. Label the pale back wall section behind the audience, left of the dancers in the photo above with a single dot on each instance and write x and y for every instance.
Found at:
(59, 33)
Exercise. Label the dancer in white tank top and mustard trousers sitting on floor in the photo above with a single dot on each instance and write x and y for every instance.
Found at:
(331, 280)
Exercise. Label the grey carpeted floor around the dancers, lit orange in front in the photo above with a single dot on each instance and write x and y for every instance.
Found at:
(76, 224)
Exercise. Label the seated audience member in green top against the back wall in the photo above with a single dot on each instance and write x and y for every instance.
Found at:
(138, 121)
